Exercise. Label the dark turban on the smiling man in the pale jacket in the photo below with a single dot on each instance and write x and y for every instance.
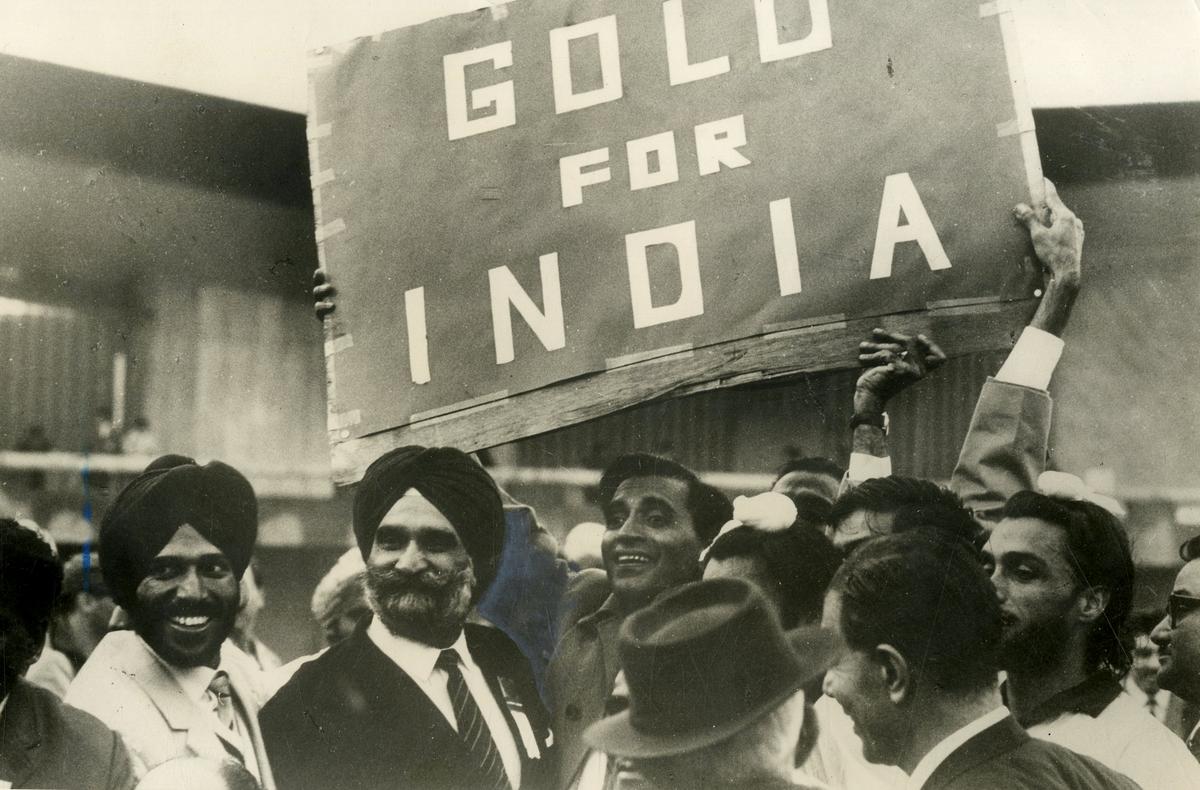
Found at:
(215, 500)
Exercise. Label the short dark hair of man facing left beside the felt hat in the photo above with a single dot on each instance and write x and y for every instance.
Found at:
(928, 597)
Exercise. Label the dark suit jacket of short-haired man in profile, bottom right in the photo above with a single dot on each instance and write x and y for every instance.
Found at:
(1007, 757)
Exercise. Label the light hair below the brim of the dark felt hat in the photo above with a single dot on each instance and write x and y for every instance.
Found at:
(763, 752)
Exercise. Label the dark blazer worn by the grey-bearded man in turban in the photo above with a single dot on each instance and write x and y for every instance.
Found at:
(353, 720)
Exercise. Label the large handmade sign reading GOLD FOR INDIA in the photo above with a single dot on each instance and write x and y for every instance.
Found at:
(543, 212)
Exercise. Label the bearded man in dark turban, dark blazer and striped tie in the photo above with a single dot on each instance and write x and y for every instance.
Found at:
(418, 697)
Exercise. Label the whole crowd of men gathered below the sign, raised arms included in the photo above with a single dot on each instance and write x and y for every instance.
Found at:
(847, 630)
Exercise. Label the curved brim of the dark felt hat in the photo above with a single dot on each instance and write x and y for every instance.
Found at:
(818, 649)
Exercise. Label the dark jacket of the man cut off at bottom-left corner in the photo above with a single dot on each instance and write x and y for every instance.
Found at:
(45, 744)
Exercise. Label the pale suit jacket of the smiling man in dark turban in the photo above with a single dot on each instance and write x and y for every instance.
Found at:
(127, 686)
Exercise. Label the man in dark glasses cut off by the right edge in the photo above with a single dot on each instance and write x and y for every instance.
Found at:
(1178, 637)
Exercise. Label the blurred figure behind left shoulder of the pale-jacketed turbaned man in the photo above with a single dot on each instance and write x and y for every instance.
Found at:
(81, 620)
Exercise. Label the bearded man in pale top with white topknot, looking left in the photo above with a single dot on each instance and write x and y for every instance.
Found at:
(1064, 578)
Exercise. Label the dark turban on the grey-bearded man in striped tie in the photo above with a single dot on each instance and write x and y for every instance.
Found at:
(458, 487)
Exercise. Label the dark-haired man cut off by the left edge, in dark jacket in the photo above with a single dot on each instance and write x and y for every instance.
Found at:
(44, 744)
